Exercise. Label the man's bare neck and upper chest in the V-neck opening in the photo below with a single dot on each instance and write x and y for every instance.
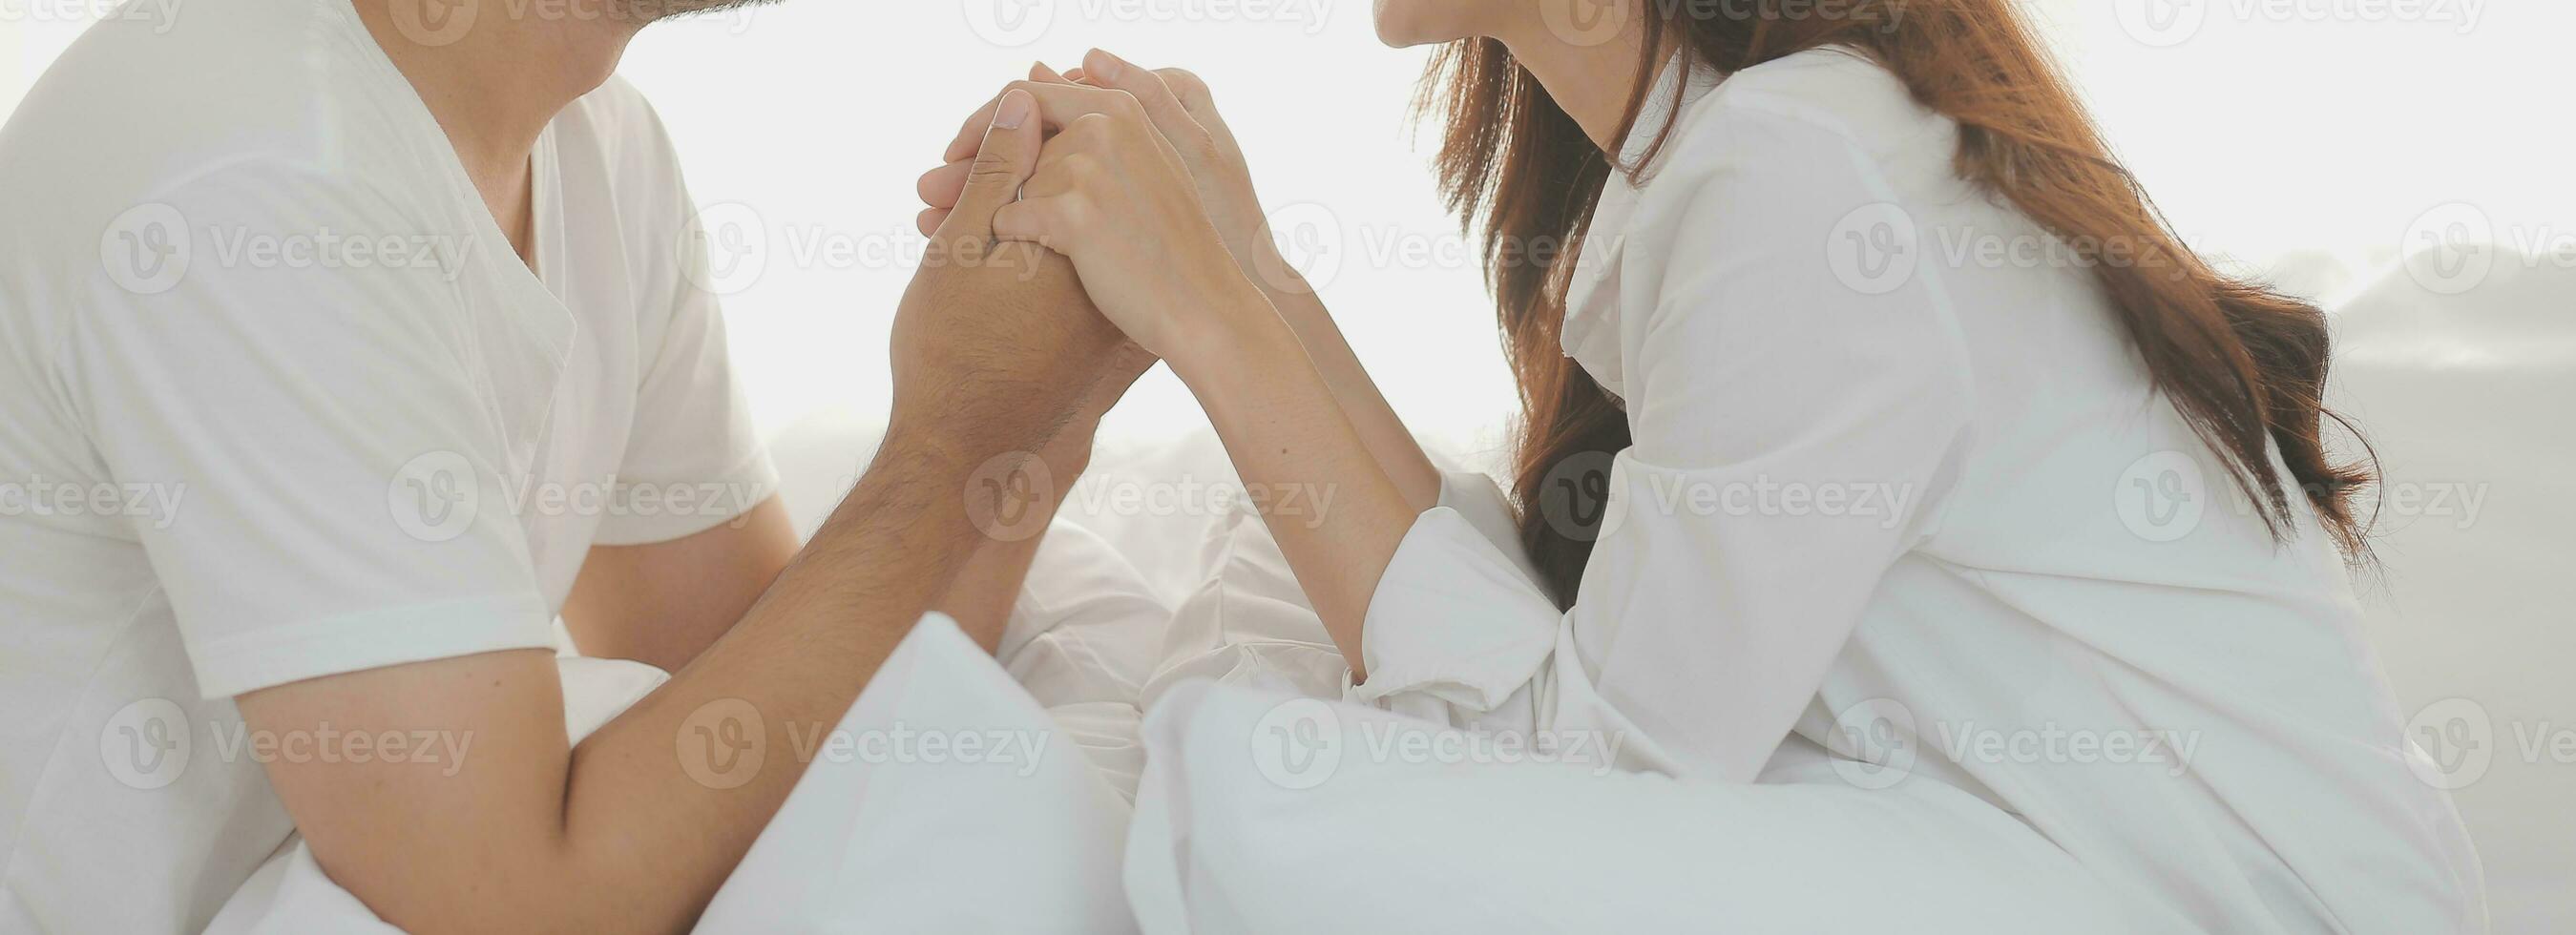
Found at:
(498, 81)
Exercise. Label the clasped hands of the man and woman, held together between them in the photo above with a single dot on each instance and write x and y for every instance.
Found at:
(1081, 231)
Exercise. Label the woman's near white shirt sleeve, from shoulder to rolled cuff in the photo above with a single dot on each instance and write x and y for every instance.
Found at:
(1794, 431)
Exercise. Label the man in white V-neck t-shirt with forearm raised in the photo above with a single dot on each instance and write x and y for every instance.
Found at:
(383, 316)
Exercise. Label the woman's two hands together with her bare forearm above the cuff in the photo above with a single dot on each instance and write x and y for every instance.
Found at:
(1145, 192)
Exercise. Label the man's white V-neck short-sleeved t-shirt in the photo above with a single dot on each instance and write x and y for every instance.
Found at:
(279, 401)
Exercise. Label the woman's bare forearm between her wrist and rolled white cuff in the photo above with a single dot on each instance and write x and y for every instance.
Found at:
(1328, 501)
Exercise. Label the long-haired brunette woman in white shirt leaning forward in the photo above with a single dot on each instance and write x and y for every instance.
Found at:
(1869, 413)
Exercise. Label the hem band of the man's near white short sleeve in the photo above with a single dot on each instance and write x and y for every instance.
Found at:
(370, 640)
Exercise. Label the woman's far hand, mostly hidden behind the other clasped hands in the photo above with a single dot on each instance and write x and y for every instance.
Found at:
(1179, 104)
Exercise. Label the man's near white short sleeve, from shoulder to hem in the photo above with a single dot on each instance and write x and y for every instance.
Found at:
(334, 465)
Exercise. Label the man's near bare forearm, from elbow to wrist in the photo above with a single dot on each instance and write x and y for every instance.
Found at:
(658, 802)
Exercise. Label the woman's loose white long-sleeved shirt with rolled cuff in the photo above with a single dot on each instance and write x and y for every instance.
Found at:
(1900, 491)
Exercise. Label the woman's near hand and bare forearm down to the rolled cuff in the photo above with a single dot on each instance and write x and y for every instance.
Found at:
(1124, 205)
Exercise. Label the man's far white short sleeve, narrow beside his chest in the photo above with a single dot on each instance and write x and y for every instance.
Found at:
(694, 429)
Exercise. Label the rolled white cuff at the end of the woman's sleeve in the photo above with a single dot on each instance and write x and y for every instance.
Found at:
(1457, 619)
